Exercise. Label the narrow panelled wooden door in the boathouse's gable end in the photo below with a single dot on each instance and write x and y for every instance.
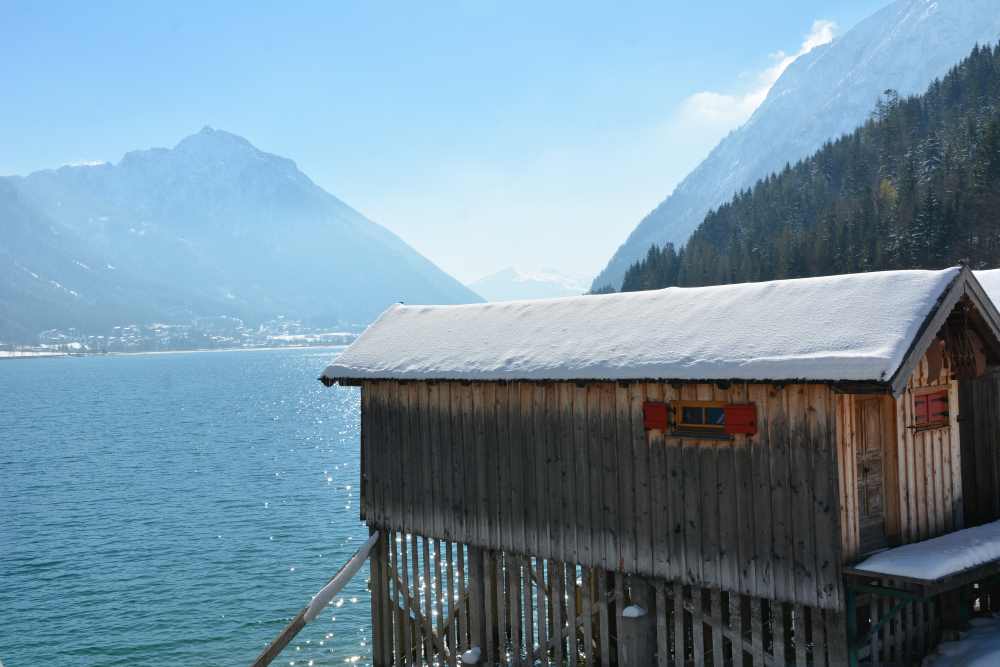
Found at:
(870, 451)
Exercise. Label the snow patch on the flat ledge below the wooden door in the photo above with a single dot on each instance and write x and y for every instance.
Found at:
(940, 556)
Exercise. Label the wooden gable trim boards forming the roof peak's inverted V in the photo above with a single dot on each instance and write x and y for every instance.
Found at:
(964, 285)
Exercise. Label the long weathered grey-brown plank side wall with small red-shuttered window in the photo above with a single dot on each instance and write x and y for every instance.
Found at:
(567, 472)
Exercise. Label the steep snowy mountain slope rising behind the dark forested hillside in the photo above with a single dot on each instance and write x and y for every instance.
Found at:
(823, 94)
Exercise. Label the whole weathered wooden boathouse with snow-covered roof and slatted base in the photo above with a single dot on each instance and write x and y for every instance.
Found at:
(688, 476)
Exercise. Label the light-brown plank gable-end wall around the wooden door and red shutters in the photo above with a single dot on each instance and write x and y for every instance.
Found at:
(924, 473)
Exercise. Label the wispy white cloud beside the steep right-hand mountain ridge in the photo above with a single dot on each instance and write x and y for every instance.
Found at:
(717, 113)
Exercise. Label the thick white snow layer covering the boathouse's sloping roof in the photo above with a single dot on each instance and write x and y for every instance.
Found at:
(850, 327)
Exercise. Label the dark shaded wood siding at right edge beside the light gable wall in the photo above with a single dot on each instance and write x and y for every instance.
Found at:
(979, 414)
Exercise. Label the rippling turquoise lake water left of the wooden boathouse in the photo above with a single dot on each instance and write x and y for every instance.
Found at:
(176, 509)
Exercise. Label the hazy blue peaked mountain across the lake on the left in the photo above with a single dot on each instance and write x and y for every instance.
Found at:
(213, 226)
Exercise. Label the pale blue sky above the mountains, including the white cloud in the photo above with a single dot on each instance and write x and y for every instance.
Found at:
(485, 134)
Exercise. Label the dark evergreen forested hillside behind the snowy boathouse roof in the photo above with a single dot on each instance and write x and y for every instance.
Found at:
(917, 186)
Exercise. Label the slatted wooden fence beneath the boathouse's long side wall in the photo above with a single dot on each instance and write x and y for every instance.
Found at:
(433, 599)
